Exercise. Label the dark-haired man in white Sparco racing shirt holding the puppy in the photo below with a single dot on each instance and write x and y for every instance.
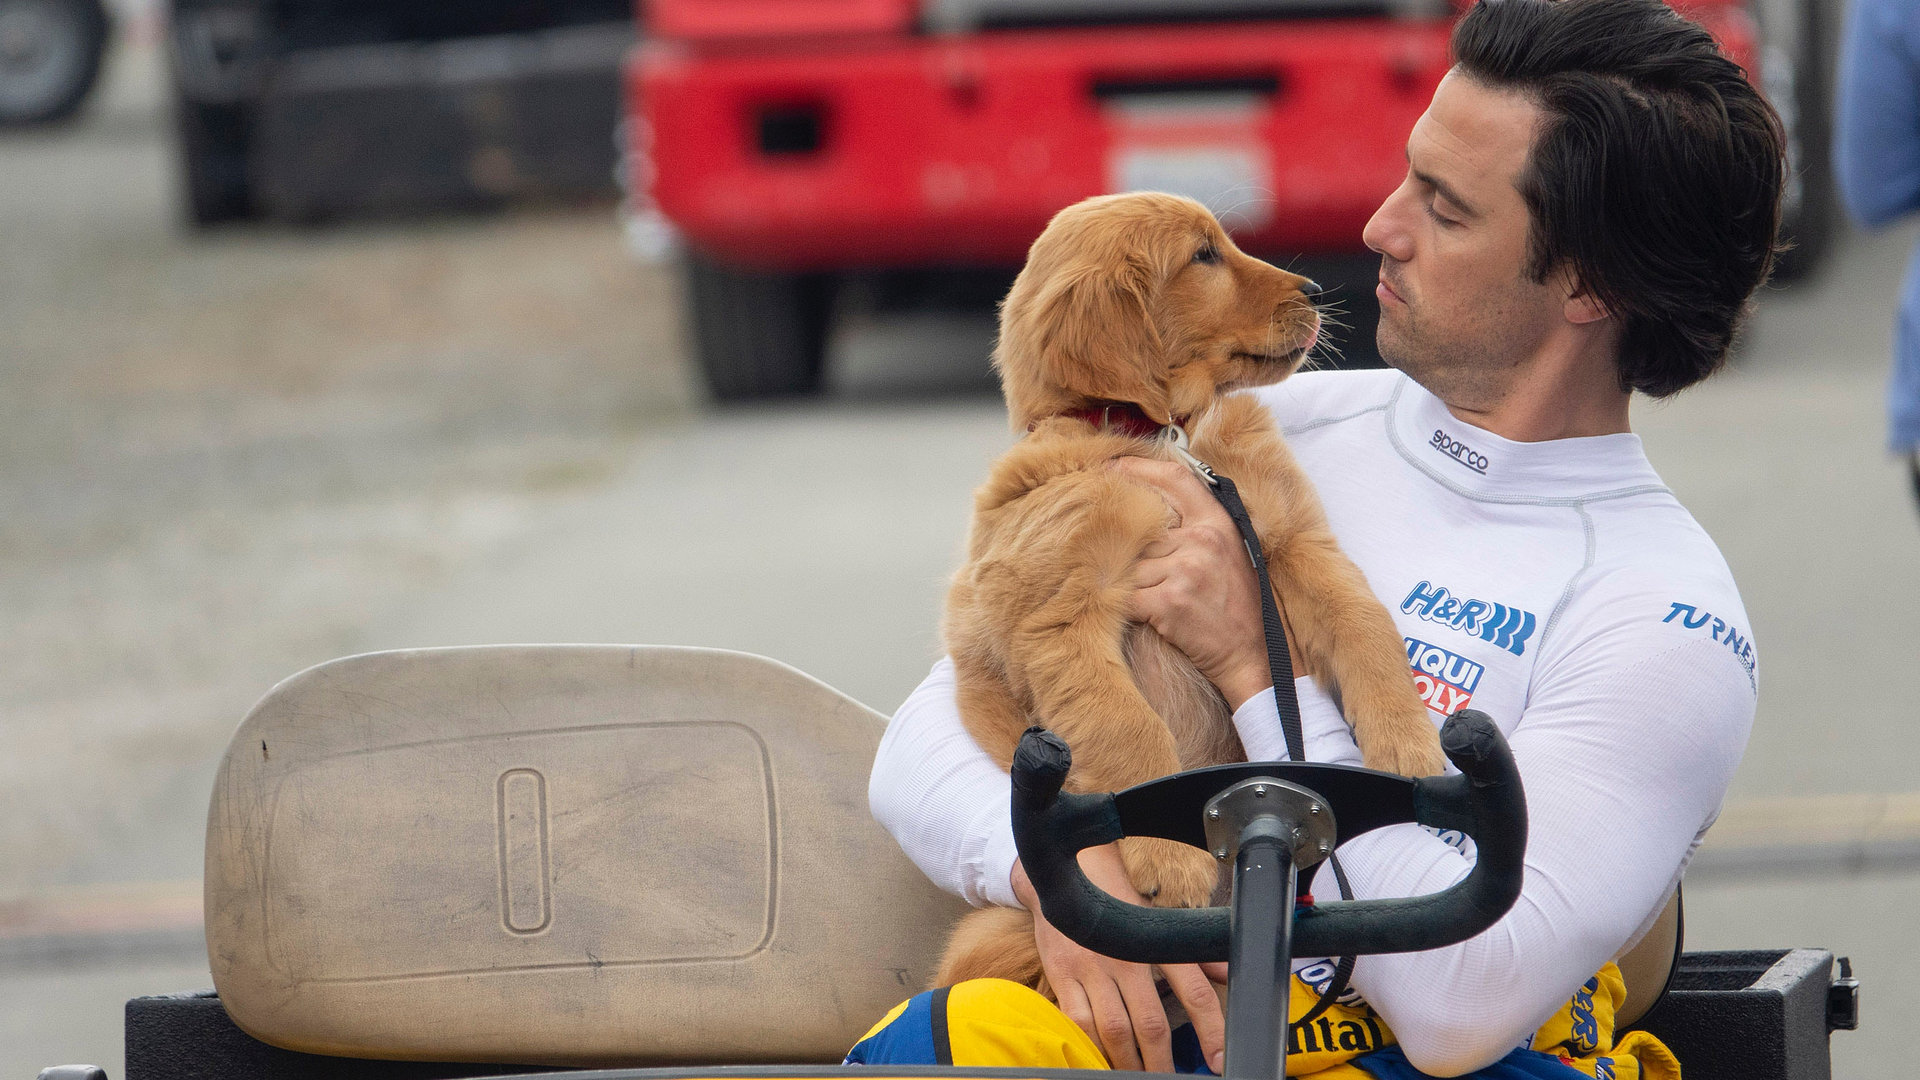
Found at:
(1591, 199)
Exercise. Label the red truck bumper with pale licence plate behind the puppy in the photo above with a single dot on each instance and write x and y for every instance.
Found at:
(955, 151)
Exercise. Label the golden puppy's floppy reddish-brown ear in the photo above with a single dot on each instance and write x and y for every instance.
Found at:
(1095, 335)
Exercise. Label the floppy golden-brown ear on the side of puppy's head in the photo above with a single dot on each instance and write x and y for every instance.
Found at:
(1082, 333)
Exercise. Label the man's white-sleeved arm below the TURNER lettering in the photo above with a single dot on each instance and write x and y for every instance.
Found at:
(1623, 766)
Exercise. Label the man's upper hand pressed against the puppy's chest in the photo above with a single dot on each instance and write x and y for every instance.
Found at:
(1197, 587)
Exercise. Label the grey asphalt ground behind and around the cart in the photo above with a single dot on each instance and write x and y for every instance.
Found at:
(228, 458)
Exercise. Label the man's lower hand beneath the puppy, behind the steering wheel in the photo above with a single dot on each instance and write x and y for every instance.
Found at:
(1116, 1002)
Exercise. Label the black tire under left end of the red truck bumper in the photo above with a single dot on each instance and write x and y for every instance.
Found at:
(759, 335)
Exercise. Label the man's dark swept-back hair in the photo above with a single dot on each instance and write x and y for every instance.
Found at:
(1656, 176)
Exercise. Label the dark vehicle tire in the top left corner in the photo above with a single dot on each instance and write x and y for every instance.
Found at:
(49, 59)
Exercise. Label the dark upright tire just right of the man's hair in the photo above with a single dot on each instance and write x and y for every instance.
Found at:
(1800, 82)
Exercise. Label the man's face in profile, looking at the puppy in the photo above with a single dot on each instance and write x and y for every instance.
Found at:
(1458, 310)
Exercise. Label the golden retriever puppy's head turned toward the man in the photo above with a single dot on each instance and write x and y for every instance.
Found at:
(1143, 299)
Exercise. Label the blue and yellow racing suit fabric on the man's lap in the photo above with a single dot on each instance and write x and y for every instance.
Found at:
(996, 1023)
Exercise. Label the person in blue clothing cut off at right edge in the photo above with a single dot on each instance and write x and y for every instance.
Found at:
(1877, 159)
